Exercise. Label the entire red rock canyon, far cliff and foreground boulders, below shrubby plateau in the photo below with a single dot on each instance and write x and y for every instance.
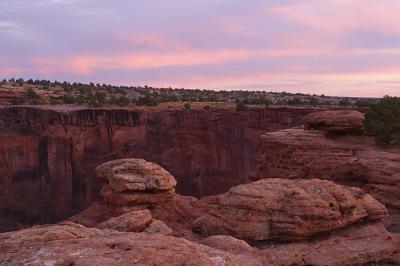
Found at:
(155, 186)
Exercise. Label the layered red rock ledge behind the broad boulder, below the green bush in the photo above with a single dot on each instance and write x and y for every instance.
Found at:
(353, 161)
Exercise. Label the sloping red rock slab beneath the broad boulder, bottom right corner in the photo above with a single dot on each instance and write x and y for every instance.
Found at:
(360, 244)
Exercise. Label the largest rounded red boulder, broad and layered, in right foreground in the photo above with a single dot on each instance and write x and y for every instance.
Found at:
(288, 210)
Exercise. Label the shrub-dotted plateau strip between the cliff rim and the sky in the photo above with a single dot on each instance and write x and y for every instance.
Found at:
(47, 92)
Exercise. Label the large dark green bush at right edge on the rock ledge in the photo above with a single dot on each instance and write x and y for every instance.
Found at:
(383, 120)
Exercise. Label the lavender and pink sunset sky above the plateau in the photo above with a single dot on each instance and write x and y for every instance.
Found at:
(332, 47)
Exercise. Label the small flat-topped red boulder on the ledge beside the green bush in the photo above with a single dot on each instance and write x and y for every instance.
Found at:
(335, 121)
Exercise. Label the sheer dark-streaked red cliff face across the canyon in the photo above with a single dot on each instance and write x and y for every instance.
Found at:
(49, 153)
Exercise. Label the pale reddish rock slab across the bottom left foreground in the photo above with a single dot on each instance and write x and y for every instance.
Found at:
(77, 245)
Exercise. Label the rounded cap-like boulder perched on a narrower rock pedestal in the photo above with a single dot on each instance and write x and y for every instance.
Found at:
(135, 181)
